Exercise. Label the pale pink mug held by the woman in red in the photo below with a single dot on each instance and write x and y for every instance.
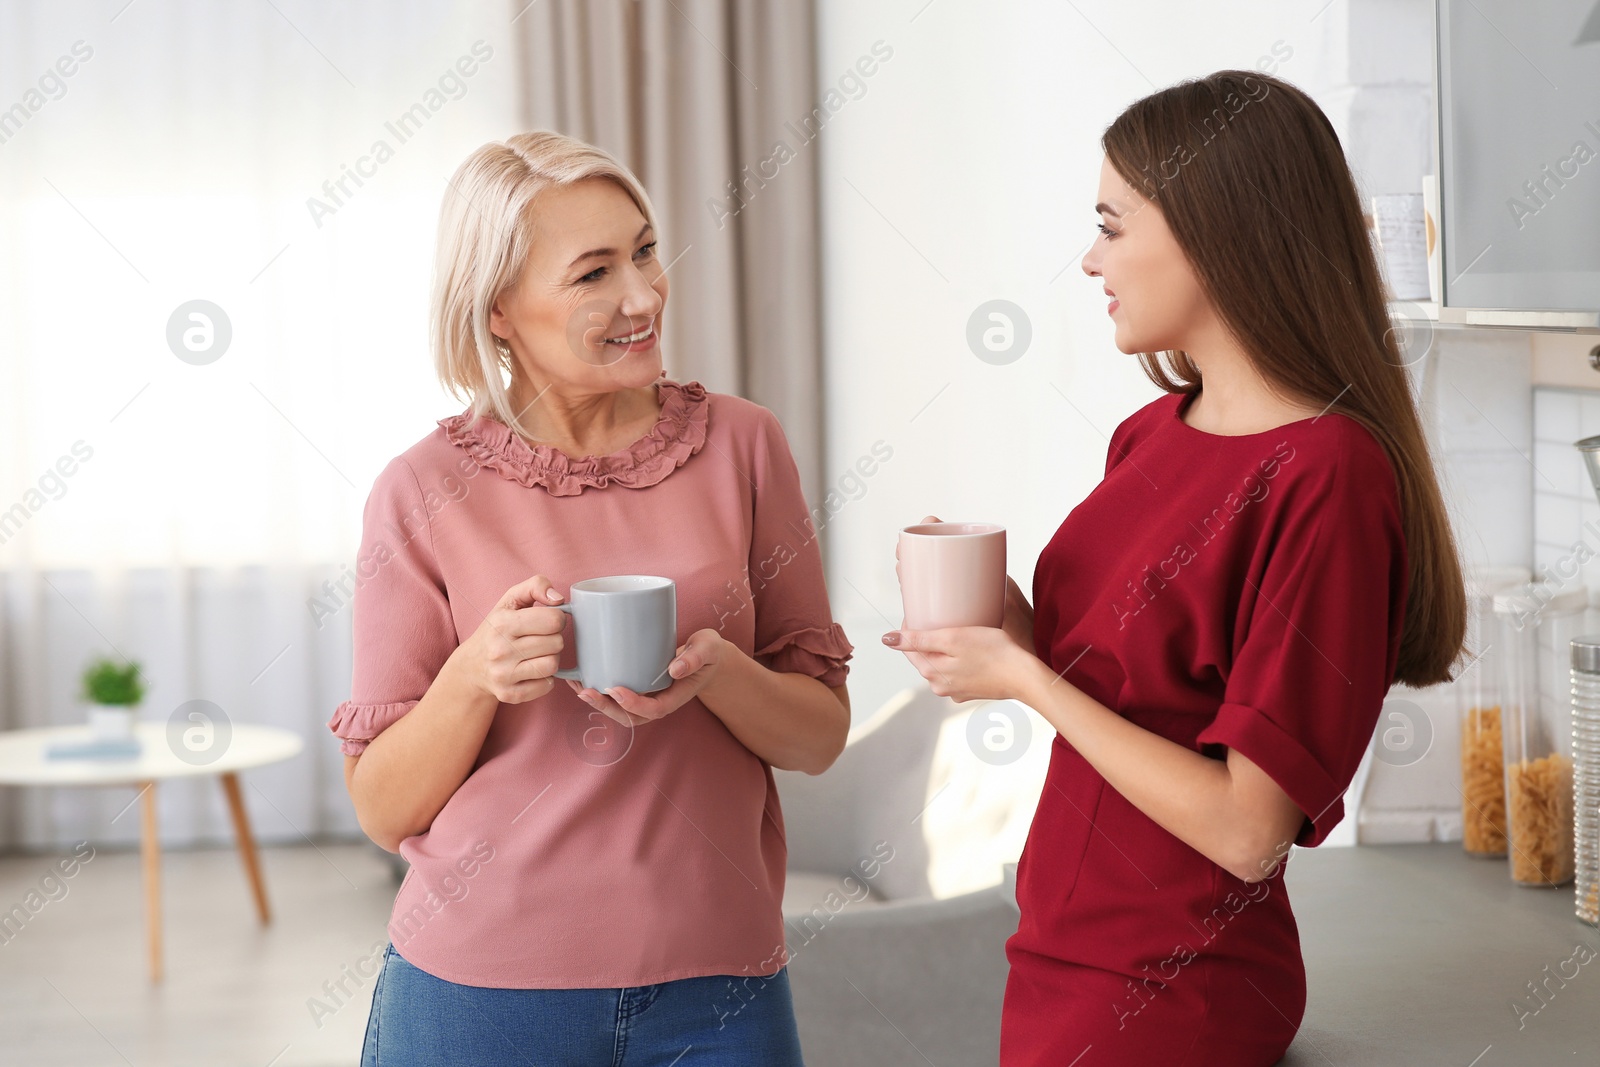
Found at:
(953, 575)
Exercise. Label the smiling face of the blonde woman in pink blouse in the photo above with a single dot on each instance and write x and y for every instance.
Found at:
(586, 311)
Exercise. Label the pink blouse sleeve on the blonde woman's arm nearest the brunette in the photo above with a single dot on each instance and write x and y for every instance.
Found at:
(794, 625)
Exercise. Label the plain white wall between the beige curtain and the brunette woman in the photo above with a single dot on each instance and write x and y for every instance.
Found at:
(967, 172)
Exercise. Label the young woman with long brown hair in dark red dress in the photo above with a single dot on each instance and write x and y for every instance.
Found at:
(1215, 626)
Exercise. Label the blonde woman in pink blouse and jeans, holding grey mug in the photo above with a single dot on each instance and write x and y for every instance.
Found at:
(596, 877)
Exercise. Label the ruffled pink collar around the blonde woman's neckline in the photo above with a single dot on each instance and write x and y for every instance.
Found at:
(679, 434)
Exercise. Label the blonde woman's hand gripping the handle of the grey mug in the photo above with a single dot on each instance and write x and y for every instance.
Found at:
(518, 649)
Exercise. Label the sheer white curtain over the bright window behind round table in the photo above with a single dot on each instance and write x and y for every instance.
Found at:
(282, 162)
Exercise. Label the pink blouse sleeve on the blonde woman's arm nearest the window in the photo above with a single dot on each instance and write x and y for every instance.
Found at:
(402, 621)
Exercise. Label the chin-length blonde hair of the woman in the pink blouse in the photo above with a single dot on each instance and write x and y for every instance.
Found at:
(486, 236)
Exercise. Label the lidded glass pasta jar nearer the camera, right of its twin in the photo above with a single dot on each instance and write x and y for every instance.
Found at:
(1537, 626)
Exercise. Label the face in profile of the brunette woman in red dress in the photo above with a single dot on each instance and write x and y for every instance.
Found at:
(1156, 300)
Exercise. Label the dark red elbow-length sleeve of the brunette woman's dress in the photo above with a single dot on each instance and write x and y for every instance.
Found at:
(1318, 645)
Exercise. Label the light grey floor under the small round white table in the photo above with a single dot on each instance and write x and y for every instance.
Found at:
(73, 981)
